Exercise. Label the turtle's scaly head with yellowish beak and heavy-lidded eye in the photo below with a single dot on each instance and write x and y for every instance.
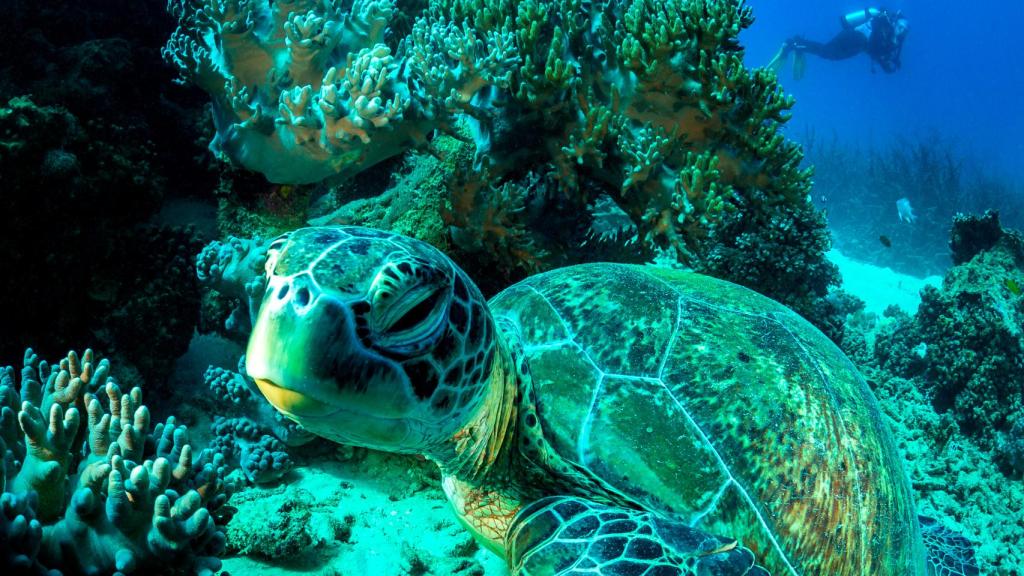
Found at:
(371, 339)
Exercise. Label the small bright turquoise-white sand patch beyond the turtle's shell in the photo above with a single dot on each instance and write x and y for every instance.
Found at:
(880, 286)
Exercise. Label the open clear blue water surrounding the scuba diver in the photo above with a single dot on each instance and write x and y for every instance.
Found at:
(962, 78)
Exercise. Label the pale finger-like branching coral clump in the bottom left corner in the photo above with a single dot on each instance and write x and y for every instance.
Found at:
(101, 493)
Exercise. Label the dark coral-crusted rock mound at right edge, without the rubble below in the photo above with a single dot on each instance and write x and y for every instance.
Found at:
(970, 335)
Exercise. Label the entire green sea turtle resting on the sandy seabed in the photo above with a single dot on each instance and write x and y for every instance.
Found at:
(601, 419)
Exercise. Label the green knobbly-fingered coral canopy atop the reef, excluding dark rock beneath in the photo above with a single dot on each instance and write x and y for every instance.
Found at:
(636, 95)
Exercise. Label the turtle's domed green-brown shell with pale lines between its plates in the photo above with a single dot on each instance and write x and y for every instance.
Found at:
(702, 399)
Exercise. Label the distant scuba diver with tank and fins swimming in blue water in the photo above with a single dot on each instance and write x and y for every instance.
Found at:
(878, 32)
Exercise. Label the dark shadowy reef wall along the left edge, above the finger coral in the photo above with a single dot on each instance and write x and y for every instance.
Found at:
(94, 139)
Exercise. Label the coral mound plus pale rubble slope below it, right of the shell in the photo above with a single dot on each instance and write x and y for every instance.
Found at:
(950, 381)
